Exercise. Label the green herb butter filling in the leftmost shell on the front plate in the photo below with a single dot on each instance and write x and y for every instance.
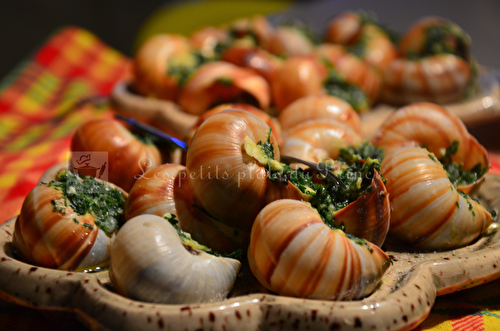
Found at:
(86, 195)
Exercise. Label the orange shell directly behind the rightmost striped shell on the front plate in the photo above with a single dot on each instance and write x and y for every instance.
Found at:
(435, 127)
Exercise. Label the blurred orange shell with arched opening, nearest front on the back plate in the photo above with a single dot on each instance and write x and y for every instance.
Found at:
(221, 82)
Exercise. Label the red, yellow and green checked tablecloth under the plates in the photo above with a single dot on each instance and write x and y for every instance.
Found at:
(57, 88)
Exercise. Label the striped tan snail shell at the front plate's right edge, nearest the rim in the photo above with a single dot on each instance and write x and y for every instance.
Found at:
(427, 211)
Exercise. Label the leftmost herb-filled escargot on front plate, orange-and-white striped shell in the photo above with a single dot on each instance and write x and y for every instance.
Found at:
(69, 223)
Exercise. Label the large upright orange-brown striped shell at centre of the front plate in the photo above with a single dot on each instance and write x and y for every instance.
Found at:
(228, 183)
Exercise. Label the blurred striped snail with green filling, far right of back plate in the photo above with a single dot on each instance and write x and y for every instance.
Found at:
(437, 65)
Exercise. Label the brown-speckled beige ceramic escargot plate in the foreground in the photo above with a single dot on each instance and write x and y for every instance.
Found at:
(404, 298)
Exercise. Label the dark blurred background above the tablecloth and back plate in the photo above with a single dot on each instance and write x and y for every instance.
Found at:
(25, 25)
